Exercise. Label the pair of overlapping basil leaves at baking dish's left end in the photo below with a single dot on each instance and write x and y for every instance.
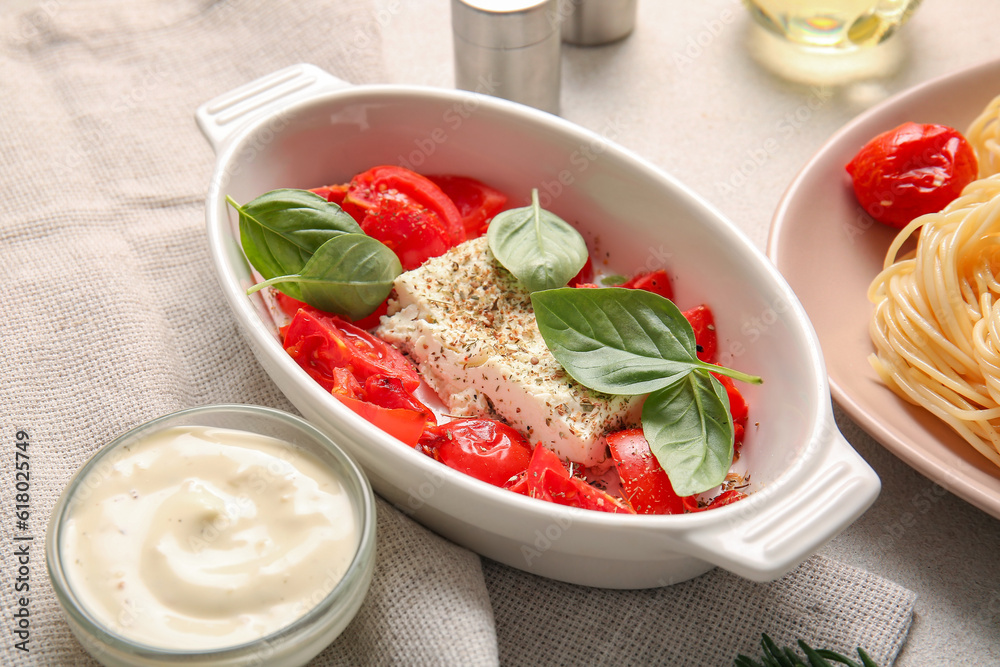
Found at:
(313, 251)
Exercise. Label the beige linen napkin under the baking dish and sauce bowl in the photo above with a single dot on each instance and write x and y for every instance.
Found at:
(112, 316)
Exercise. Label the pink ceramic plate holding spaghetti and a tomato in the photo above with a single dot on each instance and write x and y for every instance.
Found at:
(829, 250)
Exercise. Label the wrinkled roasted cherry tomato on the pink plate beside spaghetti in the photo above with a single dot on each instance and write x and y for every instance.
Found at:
(911, 170)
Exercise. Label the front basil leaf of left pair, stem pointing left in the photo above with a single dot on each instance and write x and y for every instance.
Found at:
(350, 275)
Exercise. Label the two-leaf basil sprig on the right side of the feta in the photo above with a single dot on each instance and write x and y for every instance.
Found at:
(630, 342)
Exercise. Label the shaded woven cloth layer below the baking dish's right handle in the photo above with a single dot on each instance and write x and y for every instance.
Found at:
(705, 621)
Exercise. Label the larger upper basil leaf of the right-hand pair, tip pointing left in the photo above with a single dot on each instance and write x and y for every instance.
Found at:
(616, 340)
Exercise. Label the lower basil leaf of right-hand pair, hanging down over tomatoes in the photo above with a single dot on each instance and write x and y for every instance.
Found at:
(690, 432)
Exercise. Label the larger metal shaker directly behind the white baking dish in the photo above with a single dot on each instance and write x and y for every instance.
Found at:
(509, 49)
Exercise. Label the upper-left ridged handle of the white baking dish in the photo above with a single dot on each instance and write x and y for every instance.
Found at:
(221, 117)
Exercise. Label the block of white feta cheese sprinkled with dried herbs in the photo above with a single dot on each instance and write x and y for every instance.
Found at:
(468, 325)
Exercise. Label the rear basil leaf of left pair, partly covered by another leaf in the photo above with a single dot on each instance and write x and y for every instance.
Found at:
(282, 229)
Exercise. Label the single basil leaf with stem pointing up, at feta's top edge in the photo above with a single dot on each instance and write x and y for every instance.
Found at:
(541, 249)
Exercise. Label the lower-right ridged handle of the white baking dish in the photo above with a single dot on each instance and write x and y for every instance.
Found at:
(769, 537)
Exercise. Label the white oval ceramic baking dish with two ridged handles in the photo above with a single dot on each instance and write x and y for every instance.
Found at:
(300, 127)
